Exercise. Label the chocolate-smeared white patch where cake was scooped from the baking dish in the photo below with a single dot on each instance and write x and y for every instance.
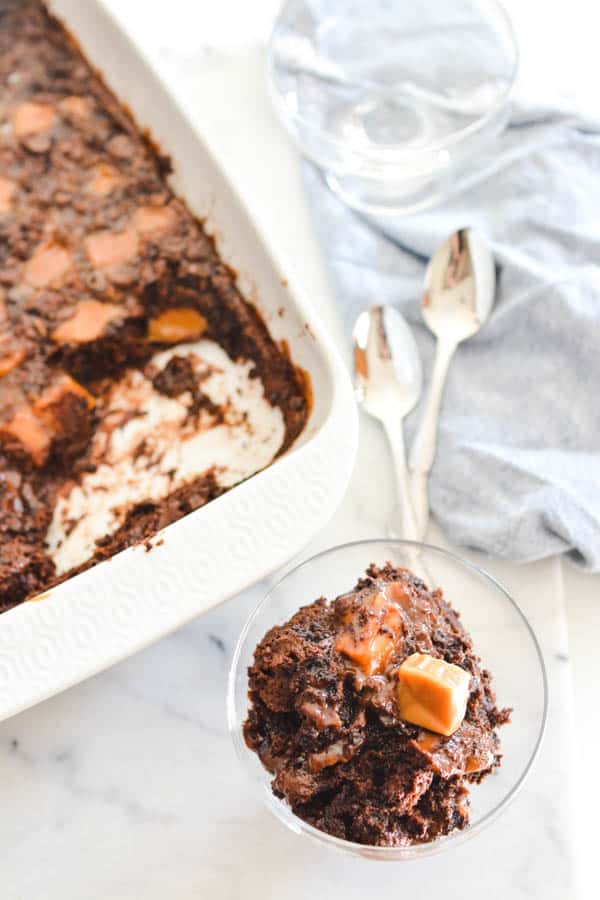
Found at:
(148, 445)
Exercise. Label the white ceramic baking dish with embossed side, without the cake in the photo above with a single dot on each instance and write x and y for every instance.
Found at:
(120, 606)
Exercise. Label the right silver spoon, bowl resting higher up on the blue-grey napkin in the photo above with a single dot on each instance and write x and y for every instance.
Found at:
(459, 294)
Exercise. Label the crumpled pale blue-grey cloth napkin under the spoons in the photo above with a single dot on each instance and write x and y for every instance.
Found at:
(517, 471)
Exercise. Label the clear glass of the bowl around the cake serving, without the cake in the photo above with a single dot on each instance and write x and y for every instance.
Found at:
(501, 637)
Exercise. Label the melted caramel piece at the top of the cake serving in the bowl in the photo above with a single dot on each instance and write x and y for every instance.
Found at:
(371, 633)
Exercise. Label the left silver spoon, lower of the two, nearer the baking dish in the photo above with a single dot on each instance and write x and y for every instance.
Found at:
(388, 381)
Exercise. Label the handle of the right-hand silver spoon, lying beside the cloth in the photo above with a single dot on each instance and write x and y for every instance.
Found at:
(424, 446)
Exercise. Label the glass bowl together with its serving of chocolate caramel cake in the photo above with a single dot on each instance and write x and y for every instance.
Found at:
(372, 715)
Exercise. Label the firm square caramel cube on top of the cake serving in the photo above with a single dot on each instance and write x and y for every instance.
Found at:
(432, 693)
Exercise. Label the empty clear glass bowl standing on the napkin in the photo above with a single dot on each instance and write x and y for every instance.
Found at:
(393, 100)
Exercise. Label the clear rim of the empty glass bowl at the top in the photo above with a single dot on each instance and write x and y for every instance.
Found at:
(434, 147)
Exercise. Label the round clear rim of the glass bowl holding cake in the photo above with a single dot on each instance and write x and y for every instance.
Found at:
(284, 813)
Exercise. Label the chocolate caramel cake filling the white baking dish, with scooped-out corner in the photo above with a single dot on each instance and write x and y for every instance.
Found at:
(136, 384)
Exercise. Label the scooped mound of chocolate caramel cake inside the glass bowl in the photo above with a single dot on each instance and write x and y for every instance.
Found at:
(373, 713)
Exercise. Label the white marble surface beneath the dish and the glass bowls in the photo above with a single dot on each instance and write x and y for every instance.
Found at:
(126, 785)
